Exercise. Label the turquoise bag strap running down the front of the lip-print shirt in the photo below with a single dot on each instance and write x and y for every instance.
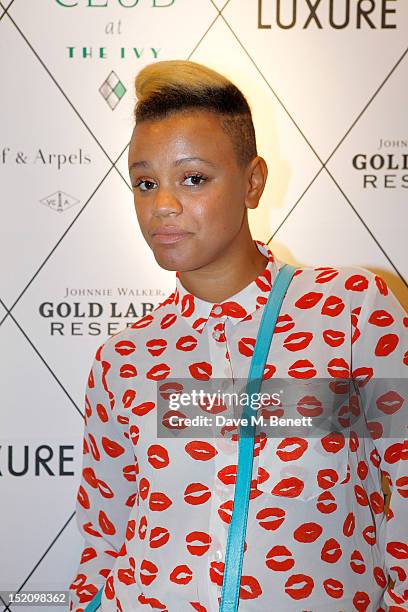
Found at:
(237, 528)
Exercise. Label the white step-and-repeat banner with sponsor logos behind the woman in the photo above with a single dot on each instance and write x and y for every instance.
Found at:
(328, 85)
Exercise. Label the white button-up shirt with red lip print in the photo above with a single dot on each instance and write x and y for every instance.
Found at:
(154, 511)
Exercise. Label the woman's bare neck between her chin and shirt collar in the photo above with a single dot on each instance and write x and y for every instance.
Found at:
(238, 266)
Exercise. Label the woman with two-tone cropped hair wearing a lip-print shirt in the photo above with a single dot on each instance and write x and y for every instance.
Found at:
(154, 509)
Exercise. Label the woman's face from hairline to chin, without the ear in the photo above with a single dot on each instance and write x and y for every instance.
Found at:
(185, 174)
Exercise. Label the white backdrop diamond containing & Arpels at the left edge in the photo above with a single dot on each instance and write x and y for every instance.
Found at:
(57, 154)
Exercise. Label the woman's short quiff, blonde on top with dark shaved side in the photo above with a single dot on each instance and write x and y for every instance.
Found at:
(172, 86)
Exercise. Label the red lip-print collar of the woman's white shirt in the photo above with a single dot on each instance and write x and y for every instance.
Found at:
(238, 307)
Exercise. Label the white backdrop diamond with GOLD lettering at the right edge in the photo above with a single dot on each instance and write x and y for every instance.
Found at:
(368, 146)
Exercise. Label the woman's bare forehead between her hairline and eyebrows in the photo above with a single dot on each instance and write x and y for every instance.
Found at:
(199, 129)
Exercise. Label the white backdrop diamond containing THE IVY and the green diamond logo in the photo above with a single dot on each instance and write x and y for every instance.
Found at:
(123, 53)
